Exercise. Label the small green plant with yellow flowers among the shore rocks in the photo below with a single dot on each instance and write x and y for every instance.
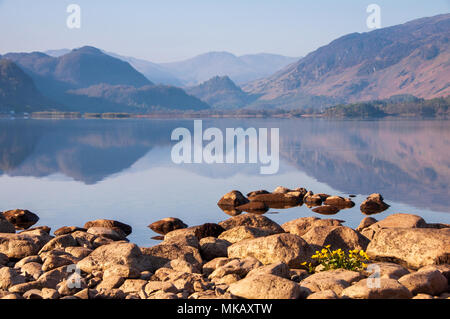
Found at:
(338, 259)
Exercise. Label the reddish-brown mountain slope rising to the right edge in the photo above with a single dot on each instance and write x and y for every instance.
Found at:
(412, 58)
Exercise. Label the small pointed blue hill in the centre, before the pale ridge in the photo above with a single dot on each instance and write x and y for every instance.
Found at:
(221, 92)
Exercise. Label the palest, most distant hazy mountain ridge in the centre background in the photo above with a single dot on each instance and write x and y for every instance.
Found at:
(239, 69)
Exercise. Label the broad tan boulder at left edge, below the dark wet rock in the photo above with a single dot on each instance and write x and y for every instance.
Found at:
(18, 246)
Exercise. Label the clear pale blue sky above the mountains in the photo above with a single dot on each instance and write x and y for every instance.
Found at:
(173, 30)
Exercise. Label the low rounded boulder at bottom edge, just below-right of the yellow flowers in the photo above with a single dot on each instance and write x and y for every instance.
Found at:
(368, 289)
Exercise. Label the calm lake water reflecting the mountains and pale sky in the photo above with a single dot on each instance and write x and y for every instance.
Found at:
(72, 171)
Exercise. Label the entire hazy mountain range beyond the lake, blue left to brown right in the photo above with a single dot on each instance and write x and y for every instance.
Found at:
(412, 58)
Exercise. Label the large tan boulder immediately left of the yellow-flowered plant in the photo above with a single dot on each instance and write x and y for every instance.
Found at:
(287, 248)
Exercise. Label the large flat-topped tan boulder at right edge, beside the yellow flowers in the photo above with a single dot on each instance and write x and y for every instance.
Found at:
(412, 247)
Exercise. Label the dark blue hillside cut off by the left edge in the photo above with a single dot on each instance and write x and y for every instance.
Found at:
(17, 90)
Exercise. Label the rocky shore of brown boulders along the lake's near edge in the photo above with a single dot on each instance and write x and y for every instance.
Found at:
(245, 256)
